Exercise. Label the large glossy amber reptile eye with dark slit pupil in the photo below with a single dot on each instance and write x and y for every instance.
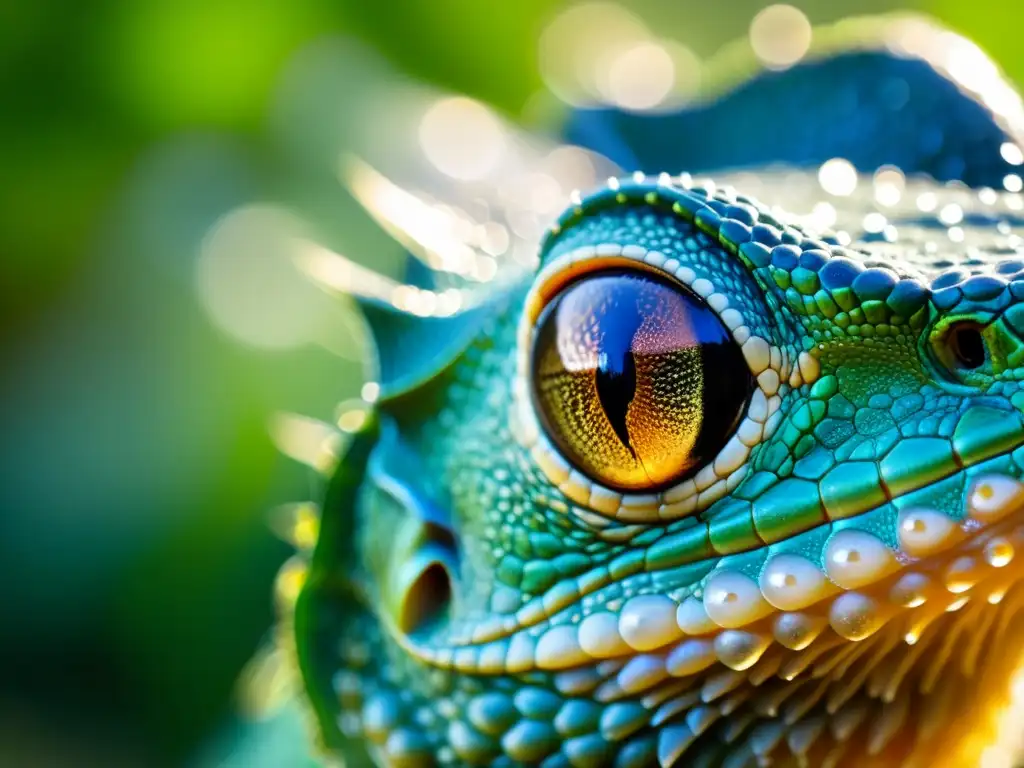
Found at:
(636, 379)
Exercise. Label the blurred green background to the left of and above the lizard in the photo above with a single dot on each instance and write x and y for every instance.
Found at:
(137, 466)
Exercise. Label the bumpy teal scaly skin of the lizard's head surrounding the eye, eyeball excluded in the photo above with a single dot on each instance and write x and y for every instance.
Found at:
(838, 585)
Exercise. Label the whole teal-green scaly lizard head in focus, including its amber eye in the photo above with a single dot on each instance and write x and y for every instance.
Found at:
(702, 462)
